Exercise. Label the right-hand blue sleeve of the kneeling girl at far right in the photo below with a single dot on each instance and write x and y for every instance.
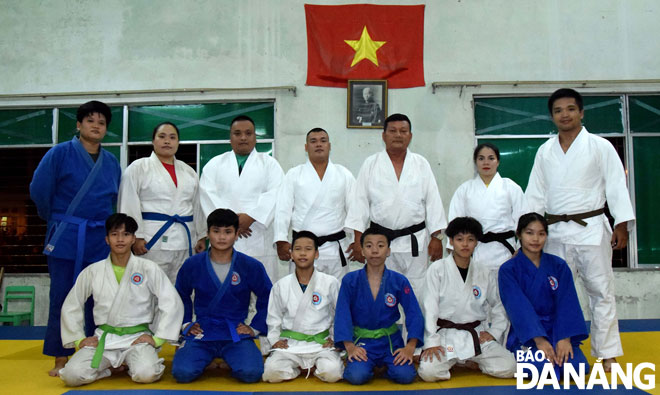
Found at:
(569, 320)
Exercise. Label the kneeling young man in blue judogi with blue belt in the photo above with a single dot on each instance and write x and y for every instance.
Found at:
(222, 280)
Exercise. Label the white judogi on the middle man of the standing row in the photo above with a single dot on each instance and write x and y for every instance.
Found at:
(305, 202)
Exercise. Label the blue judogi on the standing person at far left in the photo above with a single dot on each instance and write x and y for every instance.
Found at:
(75, 195)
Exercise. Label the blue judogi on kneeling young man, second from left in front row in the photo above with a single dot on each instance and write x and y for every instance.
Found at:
(219, 308)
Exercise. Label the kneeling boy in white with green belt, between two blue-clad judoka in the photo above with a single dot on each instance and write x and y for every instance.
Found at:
(301, 311)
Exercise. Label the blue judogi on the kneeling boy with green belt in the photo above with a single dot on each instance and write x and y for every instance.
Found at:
(356, 307)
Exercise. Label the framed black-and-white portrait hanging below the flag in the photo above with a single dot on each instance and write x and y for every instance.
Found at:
(367, 104)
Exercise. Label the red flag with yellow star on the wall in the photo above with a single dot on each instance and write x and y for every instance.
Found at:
(365, 41)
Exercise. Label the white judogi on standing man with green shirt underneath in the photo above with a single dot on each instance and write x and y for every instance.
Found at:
(253, 192)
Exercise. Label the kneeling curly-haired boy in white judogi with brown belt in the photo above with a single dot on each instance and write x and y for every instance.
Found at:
(458, 295)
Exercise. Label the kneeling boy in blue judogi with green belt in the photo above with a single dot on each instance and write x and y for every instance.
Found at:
(367, 312)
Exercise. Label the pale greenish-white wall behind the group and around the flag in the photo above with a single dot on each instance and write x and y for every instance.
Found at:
(113, 45)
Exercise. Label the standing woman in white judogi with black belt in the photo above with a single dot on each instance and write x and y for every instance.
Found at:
(495, 202)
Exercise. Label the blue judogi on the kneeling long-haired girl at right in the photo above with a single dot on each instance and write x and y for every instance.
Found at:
(542, 302)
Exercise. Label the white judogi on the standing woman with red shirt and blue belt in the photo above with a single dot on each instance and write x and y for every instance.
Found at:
(146, 186)
